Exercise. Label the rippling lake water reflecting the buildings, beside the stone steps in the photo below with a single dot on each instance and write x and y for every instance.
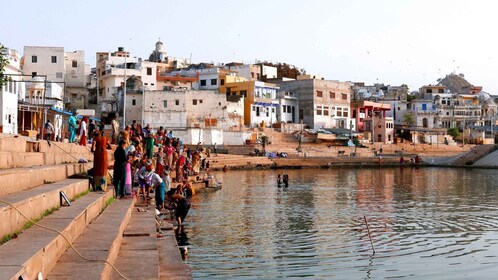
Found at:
(427, 223)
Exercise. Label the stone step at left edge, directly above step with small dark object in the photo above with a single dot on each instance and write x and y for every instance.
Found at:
(19, 179)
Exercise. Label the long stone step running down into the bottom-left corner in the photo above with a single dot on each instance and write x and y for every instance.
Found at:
(37, 250)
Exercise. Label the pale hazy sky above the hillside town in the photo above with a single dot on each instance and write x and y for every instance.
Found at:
(393, 42)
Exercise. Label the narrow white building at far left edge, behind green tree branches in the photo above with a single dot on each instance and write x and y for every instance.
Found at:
(12, 92)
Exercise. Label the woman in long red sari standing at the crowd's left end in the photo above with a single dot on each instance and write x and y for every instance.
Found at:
(99, 149)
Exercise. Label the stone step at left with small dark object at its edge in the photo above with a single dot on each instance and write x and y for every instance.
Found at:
(34, 202)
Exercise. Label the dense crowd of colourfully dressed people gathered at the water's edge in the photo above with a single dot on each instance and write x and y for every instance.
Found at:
(149, 162)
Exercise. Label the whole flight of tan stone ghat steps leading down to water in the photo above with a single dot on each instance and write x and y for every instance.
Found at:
(33, 175)
